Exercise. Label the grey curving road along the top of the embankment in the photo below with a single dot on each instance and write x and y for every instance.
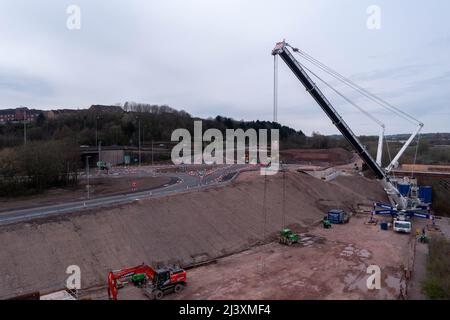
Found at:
(179, 182)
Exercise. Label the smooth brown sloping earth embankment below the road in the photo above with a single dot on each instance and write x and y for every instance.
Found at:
(184, 228)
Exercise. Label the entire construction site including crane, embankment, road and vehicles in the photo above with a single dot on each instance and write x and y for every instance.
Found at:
(326, 223)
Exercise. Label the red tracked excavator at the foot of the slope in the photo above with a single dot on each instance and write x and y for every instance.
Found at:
(154, 282)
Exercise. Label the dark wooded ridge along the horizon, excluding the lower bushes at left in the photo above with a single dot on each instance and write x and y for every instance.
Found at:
(119, 126)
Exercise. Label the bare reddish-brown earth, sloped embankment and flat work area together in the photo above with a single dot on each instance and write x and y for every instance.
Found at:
(230, 230)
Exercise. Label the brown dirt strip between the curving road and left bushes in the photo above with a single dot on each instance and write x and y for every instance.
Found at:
(100, 186)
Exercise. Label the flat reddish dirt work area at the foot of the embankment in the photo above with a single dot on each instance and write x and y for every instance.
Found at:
(326, 264)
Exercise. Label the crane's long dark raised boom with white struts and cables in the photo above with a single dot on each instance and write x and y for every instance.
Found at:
(283, 50)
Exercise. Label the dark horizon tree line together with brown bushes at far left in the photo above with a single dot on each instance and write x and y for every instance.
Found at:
(51, 155)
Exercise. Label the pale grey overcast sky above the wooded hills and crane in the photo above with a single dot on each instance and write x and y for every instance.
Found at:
(213, 57)
